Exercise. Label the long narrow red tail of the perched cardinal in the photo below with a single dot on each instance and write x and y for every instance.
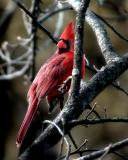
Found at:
(33, 105)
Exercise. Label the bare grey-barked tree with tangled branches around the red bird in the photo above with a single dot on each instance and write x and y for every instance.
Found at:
(81, 93)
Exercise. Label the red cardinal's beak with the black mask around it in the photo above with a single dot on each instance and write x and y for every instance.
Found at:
(63, 45)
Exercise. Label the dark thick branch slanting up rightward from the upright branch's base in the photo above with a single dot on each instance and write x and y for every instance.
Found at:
(103, 78)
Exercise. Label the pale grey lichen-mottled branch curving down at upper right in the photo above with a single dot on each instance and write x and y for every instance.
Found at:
(99, 29)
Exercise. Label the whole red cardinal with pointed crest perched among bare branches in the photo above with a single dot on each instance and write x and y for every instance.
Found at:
(50, 78)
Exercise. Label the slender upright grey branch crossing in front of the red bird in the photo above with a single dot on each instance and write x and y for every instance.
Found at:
(78, 53)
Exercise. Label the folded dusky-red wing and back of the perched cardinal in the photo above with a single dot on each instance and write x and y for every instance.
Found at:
(50, 75)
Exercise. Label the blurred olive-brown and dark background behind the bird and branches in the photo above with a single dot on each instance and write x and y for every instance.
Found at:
(111, 102)
